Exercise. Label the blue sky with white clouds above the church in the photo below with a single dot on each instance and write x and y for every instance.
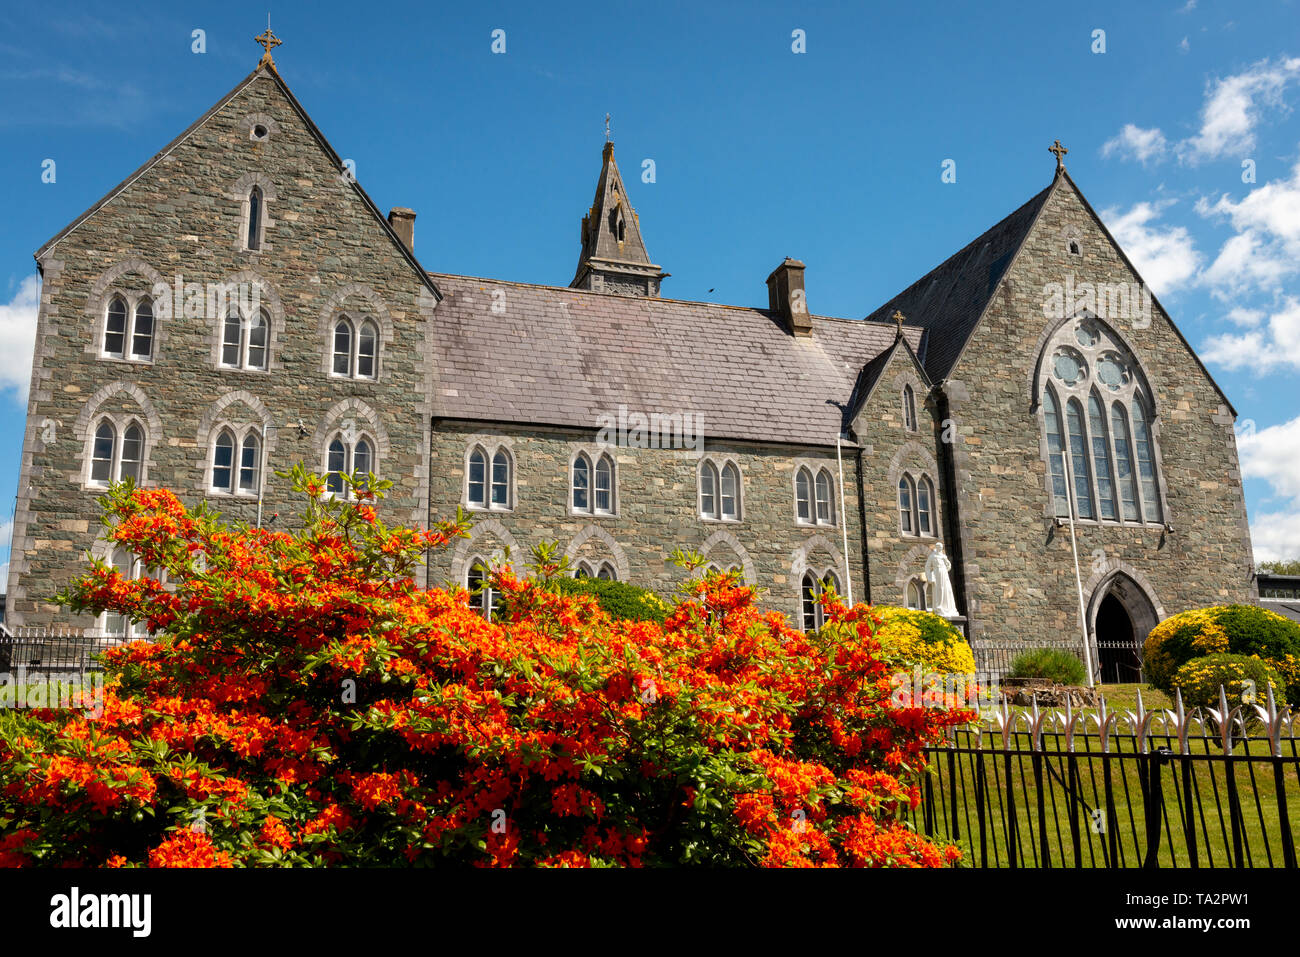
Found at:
(833, 155)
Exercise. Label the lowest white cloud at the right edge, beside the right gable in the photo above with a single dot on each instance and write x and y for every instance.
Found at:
(1273, 456)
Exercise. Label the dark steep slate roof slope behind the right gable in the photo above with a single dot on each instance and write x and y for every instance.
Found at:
(951, 298)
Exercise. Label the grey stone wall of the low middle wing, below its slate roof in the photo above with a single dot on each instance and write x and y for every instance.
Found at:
(657, 512)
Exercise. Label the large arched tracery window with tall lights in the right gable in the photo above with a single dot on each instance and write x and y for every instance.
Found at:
(1106, 426)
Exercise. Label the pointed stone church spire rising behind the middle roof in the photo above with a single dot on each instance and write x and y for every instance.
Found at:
(614, 257)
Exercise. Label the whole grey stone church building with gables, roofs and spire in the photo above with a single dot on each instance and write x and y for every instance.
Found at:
(796, 448)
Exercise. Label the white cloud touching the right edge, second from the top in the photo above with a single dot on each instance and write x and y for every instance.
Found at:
(1267, 248)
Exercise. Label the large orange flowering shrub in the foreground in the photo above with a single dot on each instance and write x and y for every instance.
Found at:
(306, 703)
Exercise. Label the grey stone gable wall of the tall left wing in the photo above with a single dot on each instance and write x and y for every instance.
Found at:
(324, 253)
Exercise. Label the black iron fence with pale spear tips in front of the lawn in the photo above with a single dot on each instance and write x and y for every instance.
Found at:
(1151, 790)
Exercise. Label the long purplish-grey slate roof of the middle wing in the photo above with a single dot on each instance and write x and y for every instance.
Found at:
(562, 357)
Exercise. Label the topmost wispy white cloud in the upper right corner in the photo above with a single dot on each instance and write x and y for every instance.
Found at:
(1234, 107)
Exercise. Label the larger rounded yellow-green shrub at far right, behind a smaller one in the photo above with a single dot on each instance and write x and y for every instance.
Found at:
(1241, 630)
